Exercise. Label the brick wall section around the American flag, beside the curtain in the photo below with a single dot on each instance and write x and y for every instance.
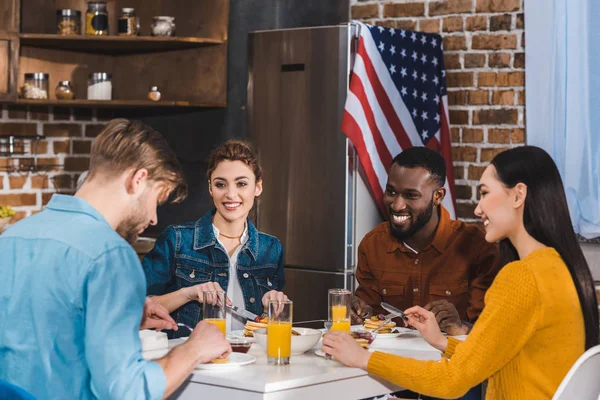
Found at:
(484, 46)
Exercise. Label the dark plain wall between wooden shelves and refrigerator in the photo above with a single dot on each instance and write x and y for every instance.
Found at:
(192, 134)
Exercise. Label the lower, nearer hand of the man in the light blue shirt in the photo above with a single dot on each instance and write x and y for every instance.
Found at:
(209, 342)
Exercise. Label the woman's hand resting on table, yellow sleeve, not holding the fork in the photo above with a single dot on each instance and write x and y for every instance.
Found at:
(345, 349)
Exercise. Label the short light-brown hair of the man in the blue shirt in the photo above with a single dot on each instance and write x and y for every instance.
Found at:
(123, 145)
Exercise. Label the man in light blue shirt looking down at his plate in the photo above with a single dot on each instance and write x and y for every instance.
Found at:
(72, 289)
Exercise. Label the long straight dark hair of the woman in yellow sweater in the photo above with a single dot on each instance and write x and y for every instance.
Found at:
(546, 219)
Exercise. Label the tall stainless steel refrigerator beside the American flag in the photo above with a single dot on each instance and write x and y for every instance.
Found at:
(314, 200)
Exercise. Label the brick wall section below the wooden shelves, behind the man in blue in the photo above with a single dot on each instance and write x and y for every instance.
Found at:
(69, 134)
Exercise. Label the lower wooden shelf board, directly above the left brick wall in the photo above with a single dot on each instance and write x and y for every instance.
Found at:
(113, 103)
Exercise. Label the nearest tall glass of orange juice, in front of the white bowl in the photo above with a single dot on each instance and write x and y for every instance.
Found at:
(279, 332)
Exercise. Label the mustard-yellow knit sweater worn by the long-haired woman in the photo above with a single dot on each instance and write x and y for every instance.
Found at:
(529, 334)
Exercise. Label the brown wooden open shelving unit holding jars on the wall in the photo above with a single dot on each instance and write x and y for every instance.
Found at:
(190, 69)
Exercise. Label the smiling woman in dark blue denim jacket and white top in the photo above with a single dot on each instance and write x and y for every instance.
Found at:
(223, 249)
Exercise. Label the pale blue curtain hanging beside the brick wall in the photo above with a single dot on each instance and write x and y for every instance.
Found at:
(562, 57)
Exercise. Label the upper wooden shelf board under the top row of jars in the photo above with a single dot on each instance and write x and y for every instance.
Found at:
(115, 45)
